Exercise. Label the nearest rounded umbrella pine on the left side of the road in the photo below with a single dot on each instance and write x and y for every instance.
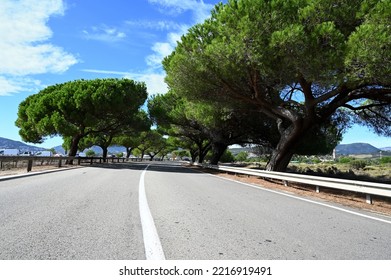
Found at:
(81, 108)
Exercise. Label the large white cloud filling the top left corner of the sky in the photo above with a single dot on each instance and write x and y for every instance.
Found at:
(24, 36)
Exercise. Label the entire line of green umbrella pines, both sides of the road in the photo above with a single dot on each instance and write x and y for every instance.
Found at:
(290, 76)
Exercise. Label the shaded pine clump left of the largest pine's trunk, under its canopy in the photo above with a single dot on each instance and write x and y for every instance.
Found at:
(210, 125)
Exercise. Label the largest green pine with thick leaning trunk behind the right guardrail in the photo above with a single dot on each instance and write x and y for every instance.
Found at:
(301, 63)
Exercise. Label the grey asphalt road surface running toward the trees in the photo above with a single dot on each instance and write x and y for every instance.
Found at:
(95, 213)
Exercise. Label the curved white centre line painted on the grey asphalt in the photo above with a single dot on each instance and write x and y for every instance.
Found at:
(152, 245)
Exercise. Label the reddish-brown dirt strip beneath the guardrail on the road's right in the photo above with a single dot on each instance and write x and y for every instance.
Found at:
(379, 204)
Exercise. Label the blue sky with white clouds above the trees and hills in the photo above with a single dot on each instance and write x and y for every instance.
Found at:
(48, 42)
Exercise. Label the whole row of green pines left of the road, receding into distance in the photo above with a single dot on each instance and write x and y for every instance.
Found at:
(100, 112)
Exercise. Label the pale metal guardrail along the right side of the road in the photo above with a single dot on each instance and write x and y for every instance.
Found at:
(368, 188)
